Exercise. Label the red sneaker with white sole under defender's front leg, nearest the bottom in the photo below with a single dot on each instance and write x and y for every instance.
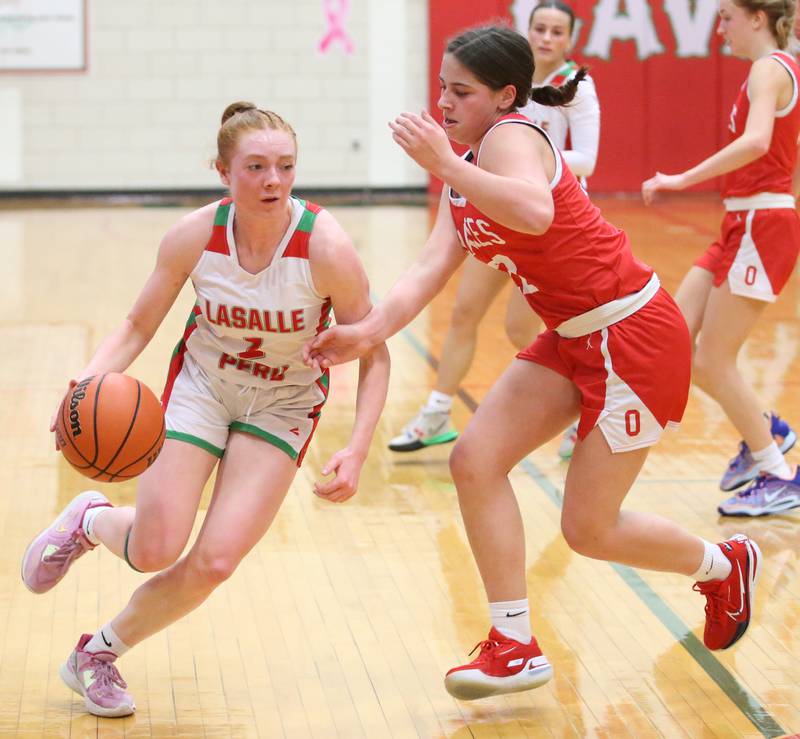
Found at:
(502, 666)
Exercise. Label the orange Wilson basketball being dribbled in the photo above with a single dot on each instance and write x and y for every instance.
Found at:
(110, 427)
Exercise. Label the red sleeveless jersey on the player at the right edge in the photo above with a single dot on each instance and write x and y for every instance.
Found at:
(773, 171)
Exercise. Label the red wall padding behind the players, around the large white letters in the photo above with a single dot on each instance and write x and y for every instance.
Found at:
(662, 112)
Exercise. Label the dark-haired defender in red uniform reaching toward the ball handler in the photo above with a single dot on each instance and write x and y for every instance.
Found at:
(616, 354)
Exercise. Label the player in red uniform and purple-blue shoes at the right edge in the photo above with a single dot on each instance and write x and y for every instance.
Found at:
(729, 286)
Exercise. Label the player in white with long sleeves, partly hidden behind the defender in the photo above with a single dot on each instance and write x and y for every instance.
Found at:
(575, 129)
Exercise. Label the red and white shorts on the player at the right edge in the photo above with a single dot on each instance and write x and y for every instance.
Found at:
(756, 252)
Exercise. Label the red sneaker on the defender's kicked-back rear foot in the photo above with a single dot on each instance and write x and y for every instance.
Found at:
(729, 602)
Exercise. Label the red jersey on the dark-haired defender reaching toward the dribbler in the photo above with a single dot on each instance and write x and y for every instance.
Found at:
(580, 262)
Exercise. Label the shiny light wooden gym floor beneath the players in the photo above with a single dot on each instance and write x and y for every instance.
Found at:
(344, 619)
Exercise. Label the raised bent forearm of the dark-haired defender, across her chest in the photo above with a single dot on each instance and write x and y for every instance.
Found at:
(515, 203)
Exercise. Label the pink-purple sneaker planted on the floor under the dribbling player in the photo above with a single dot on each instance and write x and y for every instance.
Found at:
(94, 676)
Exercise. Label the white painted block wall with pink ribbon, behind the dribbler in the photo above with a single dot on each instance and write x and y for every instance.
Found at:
(146, 113)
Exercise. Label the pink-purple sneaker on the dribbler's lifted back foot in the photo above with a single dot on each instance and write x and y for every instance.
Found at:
(50, 554)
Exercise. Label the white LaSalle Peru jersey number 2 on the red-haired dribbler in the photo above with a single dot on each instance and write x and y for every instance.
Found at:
(249, 328)
